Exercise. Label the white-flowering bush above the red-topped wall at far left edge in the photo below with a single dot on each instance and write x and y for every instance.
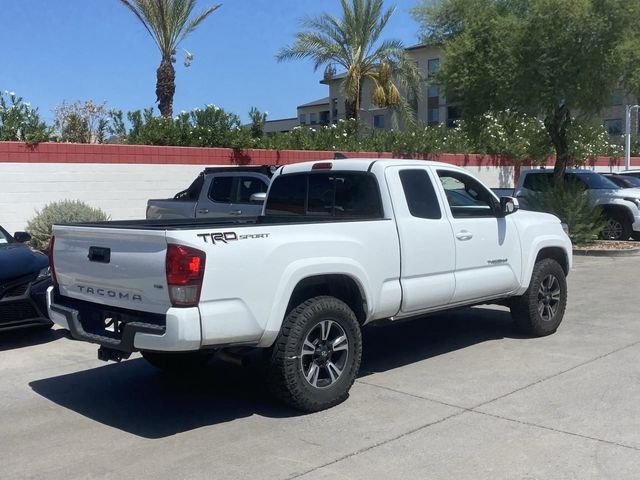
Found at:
(19, 121)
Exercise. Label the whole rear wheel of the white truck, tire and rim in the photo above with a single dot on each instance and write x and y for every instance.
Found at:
(316, 356)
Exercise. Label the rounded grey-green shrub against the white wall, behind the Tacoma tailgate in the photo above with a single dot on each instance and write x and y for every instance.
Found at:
(66, 211)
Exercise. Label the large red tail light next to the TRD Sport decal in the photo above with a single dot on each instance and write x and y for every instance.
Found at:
(185, 271)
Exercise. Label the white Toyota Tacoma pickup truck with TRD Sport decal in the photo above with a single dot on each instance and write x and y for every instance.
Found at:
(339, 245)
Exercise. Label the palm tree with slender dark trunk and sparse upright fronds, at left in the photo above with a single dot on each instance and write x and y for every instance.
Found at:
(168, 23)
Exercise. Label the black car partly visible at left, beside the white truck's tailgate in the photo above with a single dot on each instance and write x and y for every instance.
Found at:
(24, 279)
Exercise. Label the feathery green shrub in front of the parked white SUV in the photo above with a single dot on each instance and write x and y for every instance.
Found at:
(571, 204)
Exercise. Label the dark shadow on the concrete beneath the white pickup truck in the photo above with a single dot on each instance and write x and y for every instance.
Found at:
(134, 397)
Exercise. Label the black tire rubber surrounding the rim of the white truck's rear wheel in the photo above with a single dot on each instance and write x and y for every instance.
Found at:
(285, 370)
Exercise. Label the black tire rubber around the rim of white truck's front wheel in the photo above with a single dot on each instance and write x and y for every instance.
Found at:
(525, 309)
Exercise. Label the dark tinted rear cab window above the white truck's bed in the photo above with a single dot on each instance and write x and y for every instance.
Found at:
(340, 194)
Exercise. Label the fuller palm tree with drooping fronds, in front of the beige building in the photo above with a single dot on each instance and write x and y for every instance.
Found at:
(352, 43)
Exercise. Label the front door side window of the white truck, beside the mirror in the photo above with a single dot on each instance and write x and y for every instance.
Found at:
(466, 196)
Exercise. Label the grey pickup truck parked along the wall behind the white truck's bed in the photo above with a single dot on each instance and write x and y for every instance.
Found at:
(217, 192)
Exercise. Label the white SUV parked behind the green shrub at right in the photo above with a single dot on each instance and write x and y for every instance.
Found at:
(621, 206)
